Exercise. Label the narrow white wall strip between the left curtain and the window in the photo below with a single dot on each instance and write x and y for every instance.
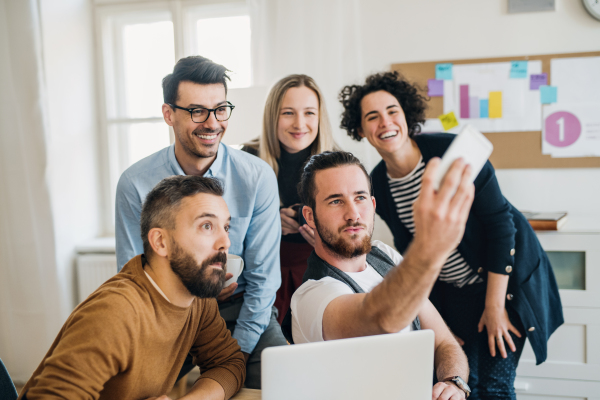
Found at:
(73, 170)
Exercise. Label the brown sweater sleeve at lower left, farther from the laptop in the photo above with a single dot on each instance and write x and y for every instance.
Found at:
(93, 346)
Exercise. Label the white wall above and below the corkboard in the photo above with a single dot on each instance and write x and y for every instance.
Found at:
(429, 30)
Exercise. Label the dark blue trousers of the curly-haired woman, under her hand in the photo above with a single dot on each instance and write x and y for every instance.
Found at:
(490, 377)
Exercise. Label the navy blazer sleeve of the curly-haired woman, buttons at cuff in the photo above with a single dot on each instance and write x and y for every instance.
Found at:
(493, 211)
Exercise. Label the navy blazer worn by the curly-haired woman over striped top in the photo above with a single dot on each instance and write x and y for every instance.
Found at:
(494, 228)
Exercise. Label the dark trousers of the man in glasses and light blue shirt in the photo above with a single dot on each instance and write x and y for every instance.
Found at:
(272, 336)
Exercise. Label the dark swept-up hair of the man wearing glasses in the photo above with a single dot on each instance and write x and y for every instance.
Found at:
(195, 69)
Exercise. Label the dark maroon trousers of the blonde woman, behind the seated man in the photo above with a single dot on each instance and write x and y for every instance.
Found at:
(294, 258)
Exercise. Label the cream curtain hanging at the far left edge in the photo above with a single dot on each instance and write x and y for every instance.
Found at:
(29, 302)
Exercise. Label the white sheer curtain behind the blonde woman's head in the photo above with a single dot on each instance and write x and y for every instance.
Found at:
(313, 37)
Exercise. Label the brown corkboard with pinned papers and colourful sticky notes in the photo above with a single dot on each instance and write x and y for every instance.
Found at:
(511, 149)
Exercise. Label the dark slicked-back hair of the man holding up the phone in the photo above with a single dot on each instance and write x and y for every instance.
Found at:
(318, 162)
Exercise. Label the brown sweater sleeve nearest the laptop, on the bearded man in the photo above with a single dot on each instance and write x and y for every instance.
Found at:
(216, 353)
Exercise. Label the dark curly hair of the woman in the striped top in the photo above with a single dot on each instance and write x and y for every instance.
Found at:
(413, 104)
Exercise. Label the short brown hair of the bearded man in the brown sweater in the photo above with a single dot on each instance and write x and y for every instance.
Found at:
(161, 203)
